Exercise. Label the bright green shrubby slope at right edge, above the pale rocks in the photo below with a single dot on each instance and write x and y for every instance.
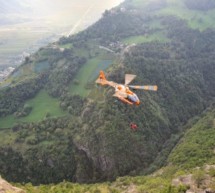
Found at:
(197, 146)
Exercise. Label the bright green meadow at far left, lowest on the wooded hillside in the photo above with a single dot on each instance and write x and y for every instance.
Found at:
(42, 104)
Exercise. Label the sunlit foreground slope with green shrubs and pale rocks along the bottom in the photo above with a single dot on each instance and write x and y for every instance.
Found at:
(183, 172)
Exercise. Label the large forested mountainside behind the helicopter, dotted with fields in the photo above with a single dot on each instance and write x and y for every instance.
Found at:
(92, 141)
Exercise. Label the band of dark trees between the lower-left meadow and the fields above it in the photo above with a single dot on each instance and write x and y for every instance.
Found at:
(55, 79)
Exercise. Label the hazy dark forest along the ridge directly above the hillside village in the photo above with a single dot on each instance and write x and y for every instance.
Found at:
(114, 26)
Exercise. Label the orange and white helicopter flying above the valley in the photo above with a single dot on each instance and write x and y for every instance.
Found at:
(122, 91)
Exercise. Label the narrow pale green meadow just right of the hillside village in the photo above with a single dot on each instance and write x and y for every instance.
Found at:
(146, 38)
